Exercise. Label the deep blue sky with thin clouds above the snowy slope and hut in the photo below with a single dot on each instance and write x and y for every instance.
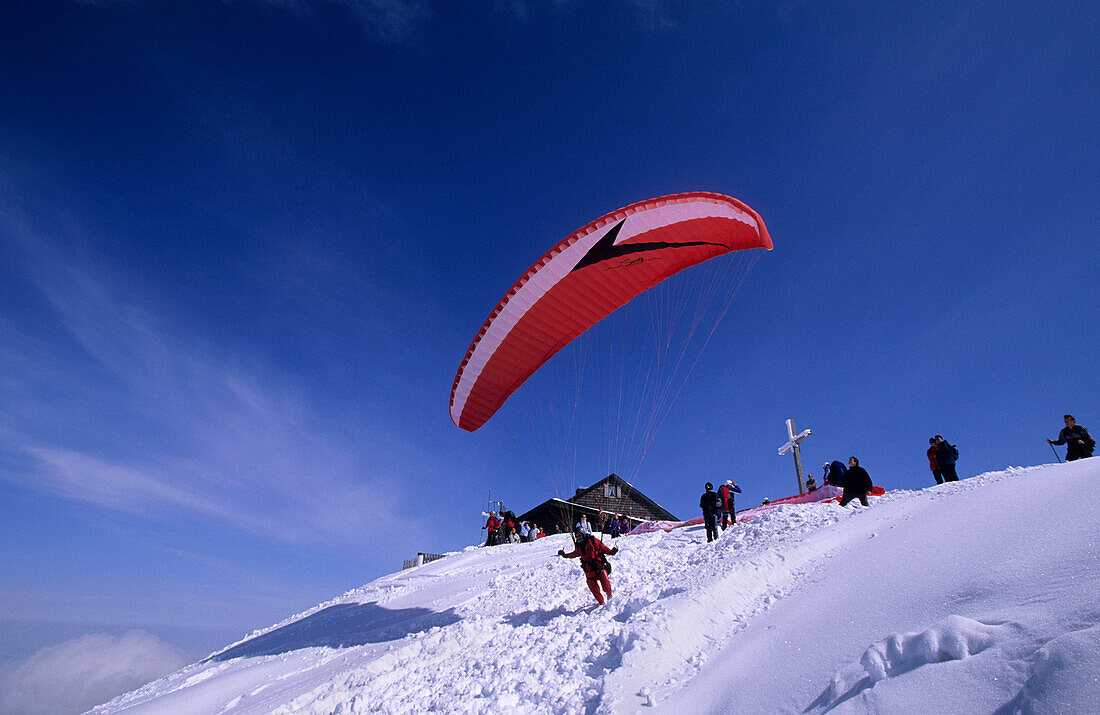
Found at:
(245, 246)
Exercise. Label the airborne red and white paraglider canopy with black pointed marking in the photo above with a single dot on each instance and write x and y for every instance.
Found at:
(588, 277)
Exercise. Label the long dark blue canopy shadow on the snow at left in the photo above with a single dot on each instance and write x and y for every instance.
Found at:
(342, 626)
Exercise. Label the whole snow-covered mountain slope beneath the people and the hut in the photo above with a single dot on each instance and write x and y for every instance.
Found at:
(977, 597)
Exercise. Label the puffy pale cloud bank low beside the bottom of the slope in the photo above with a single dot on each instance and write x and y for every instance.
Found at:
(87, 672)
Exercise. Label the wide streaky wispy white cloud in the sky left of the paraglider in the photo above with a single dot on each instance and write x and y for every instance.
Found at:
(139, 417)
